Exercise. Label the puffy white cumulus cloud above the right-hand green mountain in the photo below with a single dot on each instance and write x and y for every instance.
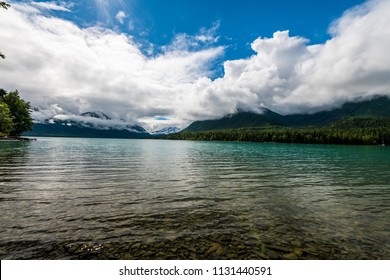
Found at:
(288, 75)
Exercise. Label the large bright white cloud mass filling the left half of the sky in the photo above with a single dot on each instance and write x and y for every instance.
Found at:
(53, 61)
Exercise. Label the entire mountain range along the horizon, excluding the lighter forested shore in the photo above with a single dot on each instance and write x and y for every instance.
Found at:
(97, 124)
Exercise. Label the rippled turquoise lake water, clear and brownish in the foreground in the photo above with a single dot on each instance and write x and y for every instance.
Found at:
(153, 199)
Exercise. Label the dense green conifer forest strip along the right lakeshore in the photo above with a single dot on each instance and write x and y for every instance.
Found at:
(349, 130)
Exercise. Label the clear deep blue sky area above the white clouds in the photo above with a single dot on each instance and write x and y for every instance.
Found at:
(239, 22)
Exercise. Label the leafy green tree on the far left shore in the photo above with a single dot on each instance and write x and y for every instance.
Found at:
(19, 111)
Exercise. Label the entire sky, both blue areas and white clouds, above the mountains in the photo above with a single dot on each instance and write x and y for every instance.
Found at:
(169, 63)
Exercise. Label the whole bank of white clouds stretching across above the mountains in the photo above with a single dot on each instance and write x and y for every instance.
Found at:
(65, 69)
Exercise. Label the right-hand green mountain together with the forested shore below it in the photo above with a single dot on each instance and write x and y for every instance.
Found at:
(364, 122)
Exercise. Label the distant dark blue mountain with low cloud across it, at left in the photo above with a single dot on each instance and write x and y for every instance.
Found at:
(89, 124)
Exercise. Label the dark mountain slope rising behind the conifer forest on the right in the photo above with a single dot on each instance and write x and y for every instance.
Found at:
(376, 107)
